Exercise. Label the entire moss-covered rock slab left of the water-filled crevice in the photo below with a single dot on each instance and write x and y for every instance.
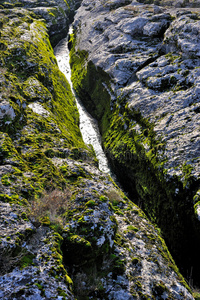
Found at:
(66, 230)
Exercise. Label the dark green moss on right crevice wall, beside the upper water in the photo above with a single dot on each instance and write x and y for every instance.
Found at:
(90, 86)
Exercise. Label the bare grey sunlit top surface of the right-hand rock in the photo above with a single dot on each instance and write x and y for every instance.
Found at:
(157, 75)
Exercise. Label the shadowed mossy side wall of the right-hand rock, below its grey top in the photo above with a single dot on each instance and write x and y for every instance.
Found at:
(137, 157)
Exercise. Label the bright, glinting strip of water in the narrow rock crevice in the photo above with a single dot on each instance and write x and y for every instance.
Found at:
(88, 125)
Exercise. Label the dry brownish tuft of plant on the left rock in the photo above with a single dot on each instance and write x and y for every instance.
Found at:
(50, 208)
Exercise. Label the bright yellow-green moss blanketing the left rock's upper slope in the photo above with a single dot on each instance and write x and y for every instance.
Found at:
(30, 75)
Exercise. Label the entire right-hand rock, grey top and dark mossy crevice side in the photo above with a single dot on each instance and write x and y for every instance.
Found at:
(140, 79)
